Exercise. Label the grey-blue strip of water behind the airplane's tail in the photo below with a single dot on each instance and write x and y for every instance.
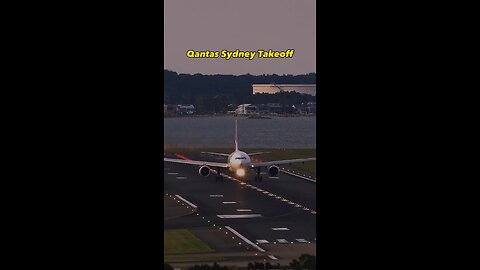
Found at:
(278, 132)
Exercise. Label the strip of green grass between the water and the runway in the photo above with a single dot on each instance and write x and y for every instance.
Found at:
(276, 154)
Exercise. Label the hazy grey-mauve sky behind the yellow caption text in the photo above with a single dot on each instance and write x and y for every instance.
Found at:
(251, 25)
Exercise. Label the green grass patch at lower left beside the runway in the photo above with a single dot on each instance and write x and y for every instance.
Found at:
(183, 242)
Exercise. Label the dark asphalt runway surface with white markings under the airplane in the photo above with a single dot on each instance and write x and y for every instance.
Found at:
(279, 210)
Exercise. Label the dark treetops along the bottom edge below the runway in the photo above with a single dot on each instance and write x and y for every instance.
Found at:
(305, 261)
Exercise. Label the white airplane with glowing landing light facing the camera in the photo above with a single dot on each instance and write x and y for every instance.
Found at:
(238, 162)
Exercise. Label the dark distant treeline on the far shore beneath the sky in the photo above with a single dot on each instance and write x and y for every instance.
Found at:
(212, 93)
